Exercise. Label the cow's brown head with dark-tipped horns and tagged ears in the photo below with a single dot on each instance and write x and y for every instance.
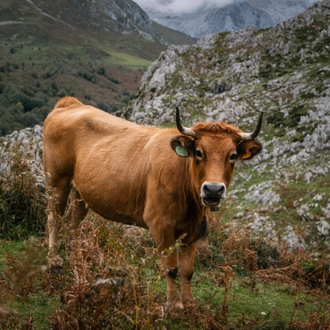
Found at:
(214, 149)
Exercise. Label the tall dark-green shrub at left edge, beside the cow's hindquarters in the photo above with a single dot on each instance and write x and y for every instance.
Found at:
(22, 199)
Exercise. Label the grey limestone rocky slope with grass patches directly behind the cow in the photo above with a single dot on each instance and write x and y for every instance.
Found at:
(282, 196)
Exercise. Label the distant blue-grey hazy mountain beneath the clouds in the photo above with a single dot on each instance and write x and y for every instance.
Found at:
(209, 19)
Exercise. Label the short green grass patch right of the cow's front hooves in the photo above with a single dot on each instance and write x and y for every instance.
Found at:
(264, 304)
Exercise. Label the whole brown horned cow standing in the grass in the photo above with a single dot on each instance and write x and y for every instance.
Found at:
(165, 180)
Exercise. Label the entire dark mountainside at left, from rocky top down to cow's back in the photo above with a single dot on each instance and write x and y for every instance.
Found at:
(96, 51)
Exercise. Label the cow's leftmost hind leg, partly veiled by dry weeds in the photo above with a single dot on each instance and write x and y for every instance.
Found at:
(57, 200)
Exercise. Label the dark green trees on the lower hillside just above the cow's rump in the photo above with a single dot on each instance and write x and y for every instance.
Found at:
(27, 104)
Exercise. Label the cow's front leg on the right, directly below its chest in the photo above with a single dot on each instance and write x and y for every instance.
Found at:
(186, 269)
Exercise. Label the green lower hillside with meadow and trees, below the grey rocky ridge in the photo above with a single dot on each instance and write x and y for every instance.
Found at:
(43, 59)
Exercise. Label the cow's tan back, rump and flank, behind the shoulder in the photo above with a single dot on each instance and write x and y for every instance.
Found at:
(105, 157)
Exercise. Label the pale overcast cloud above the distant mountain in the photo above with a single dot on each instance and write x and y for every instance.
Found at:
(185, 5)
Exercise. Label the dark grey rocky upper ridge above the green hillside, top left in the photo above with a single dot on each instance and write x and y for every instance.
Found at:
(120, 16)
